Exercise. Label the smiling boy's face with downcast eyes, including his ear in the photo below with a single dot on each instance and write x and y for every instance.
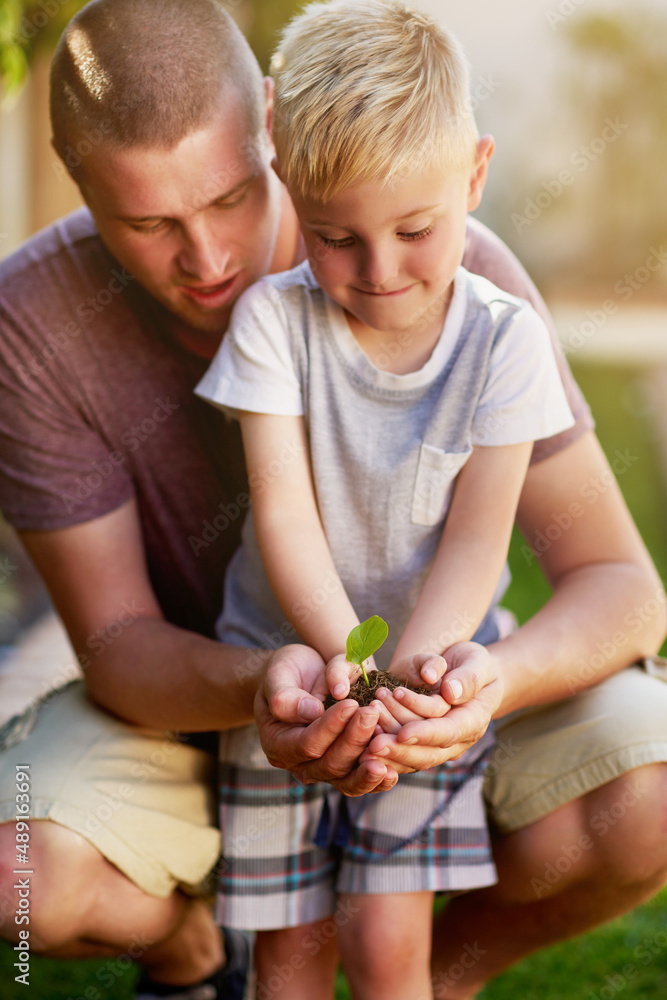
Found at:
(388, 255)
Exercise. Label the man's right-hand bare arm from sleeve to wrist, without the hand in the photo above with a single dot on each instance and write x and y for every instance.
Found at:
(608, 606)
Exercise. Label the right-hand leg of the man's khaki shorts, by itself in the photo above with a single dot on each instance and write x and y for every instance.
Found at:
(547, 756)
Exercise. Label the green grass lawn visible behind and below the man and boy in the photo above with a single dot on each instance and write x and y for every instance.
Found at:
(627, 957)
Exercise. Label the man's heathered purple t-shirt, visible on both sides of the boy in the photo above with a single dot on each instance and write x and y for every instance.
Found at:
(96, 406)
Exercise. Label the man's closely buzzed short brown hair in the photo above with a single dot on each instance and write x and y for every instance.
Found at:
(148, 73)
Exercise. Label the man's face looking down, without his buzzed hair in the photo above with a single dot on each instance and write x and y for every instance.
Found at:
(195, 224)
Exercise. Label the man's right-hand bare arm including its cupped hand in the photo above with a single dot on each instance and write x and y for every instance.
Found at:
(607, 610)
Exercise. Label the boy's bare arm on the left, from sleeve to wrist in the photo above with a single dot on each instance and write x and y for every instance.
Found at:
(289, 532)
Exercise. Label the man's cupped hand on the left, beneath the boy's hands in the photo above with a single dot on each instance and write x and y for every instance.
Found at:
(298, 735)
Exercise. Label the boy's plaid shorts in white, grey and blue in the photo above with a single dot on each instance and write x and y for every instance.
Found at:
(426, 834)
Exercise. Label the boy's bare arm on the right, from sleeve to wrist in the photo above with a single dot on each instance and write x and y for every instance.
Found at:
(472, 551)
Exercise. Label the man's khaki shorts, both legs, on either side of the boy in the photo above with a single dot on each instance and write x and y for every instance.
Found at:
(143, 800)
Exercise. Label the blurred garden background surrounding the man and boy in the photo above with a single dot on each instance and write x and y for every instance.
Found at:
(575, 93)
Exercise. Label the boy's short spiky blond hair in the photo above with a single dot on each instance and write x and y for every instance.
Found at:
(368, 90)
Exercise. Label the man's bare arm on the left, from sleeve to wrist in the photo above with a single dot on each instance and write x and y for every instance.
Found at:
(142, 668)
